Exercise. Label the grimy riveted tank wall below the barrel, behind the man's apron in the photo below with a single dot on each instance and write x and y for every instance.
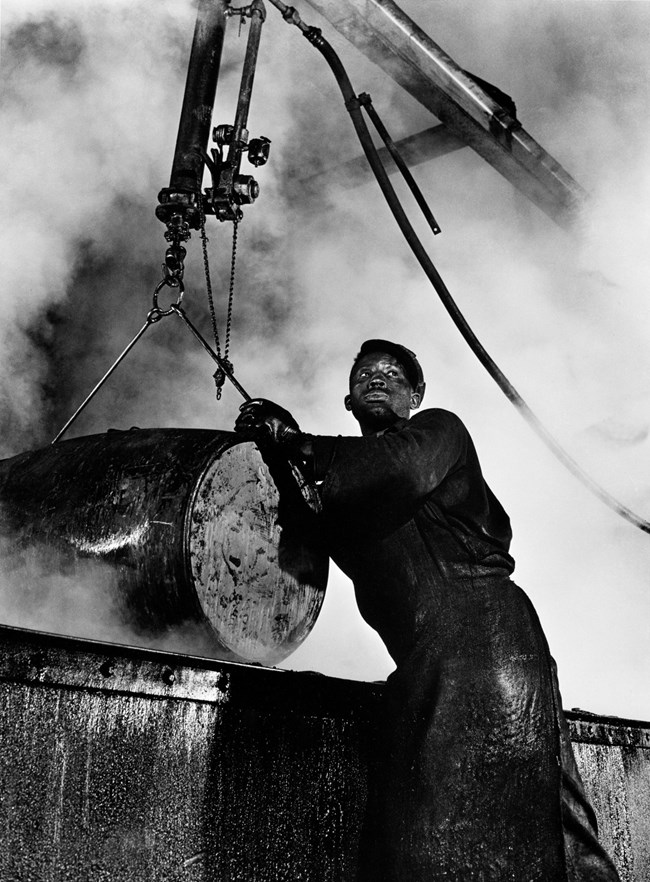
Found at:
(121, 764)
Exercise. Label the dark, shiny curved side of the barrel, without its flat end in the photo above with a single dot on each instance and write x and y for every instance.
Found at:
(109, 509)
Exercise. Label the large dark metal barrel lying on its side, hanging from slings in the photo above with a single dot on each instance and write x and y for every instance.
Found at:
(193, 527)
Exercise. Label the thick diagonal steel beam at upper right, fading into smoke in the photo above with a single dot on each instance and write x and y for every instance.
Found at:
(386, 35)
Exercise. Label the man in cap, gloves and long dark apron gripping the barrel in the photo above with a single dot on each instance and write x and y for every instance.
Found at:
(475, 777)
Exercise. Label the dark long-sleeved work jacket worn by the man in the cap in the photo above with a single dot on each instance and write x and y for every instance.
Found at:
(408, 514)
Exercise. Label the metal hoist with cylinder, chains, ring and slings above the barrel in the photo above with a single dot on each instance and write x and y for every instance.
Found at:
(184, 205)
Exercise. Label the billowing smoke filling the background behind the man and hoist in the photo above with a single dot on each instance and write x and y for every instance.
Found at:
(90, 104)
